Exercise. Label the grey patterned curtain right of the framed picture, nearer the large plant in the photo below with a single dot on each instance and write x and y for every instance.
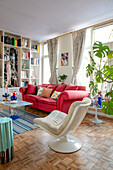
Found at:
(78, 47)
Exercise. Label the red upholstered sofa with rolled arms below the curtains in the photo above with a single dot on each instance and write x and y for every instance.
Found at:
(69, 94)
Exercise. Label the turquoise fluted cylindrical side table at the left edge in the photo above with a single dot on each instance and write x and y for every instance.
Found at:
(6, 140)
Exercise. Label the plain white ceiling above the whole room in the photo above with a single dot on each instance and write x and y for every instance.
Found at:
(45, 19)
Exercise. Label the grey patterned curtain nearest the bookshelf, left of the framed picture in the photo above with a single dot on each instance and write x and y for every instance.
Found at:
(52, 54)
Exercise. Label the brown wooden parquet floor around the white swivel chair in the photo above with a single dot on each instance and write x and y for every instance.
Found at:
(32, 151)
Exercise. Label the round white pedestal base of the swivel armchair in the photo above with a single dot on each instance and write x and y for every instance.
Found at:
(65, 144)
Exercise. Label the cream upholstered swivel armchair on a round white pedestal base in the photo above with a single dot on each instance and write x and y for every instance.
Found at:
(59, 125)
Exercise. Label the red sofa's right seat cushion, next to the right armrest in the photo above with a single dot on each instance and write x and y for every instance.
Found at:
(48, 101)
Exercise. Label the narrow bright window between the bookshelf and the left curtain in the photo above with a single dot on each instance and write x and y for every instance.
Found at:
(46, 66)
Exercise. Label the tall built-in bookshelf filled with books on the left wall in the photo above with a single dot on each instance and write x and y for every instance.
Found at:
(23, 54)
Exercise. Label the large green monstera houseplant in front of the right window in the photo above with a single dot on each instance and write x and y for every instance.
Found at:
(102, 72)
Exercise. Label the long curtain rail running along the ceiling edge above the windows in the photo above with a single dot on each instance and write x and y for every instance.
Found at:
(93, 25)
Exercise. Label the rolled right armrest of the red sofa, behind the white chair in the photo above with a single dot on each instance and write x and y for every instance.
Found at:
(66, 98)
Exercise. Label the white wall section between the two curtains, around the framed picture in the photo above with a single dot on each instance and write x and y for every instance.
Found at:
(65, 46)
